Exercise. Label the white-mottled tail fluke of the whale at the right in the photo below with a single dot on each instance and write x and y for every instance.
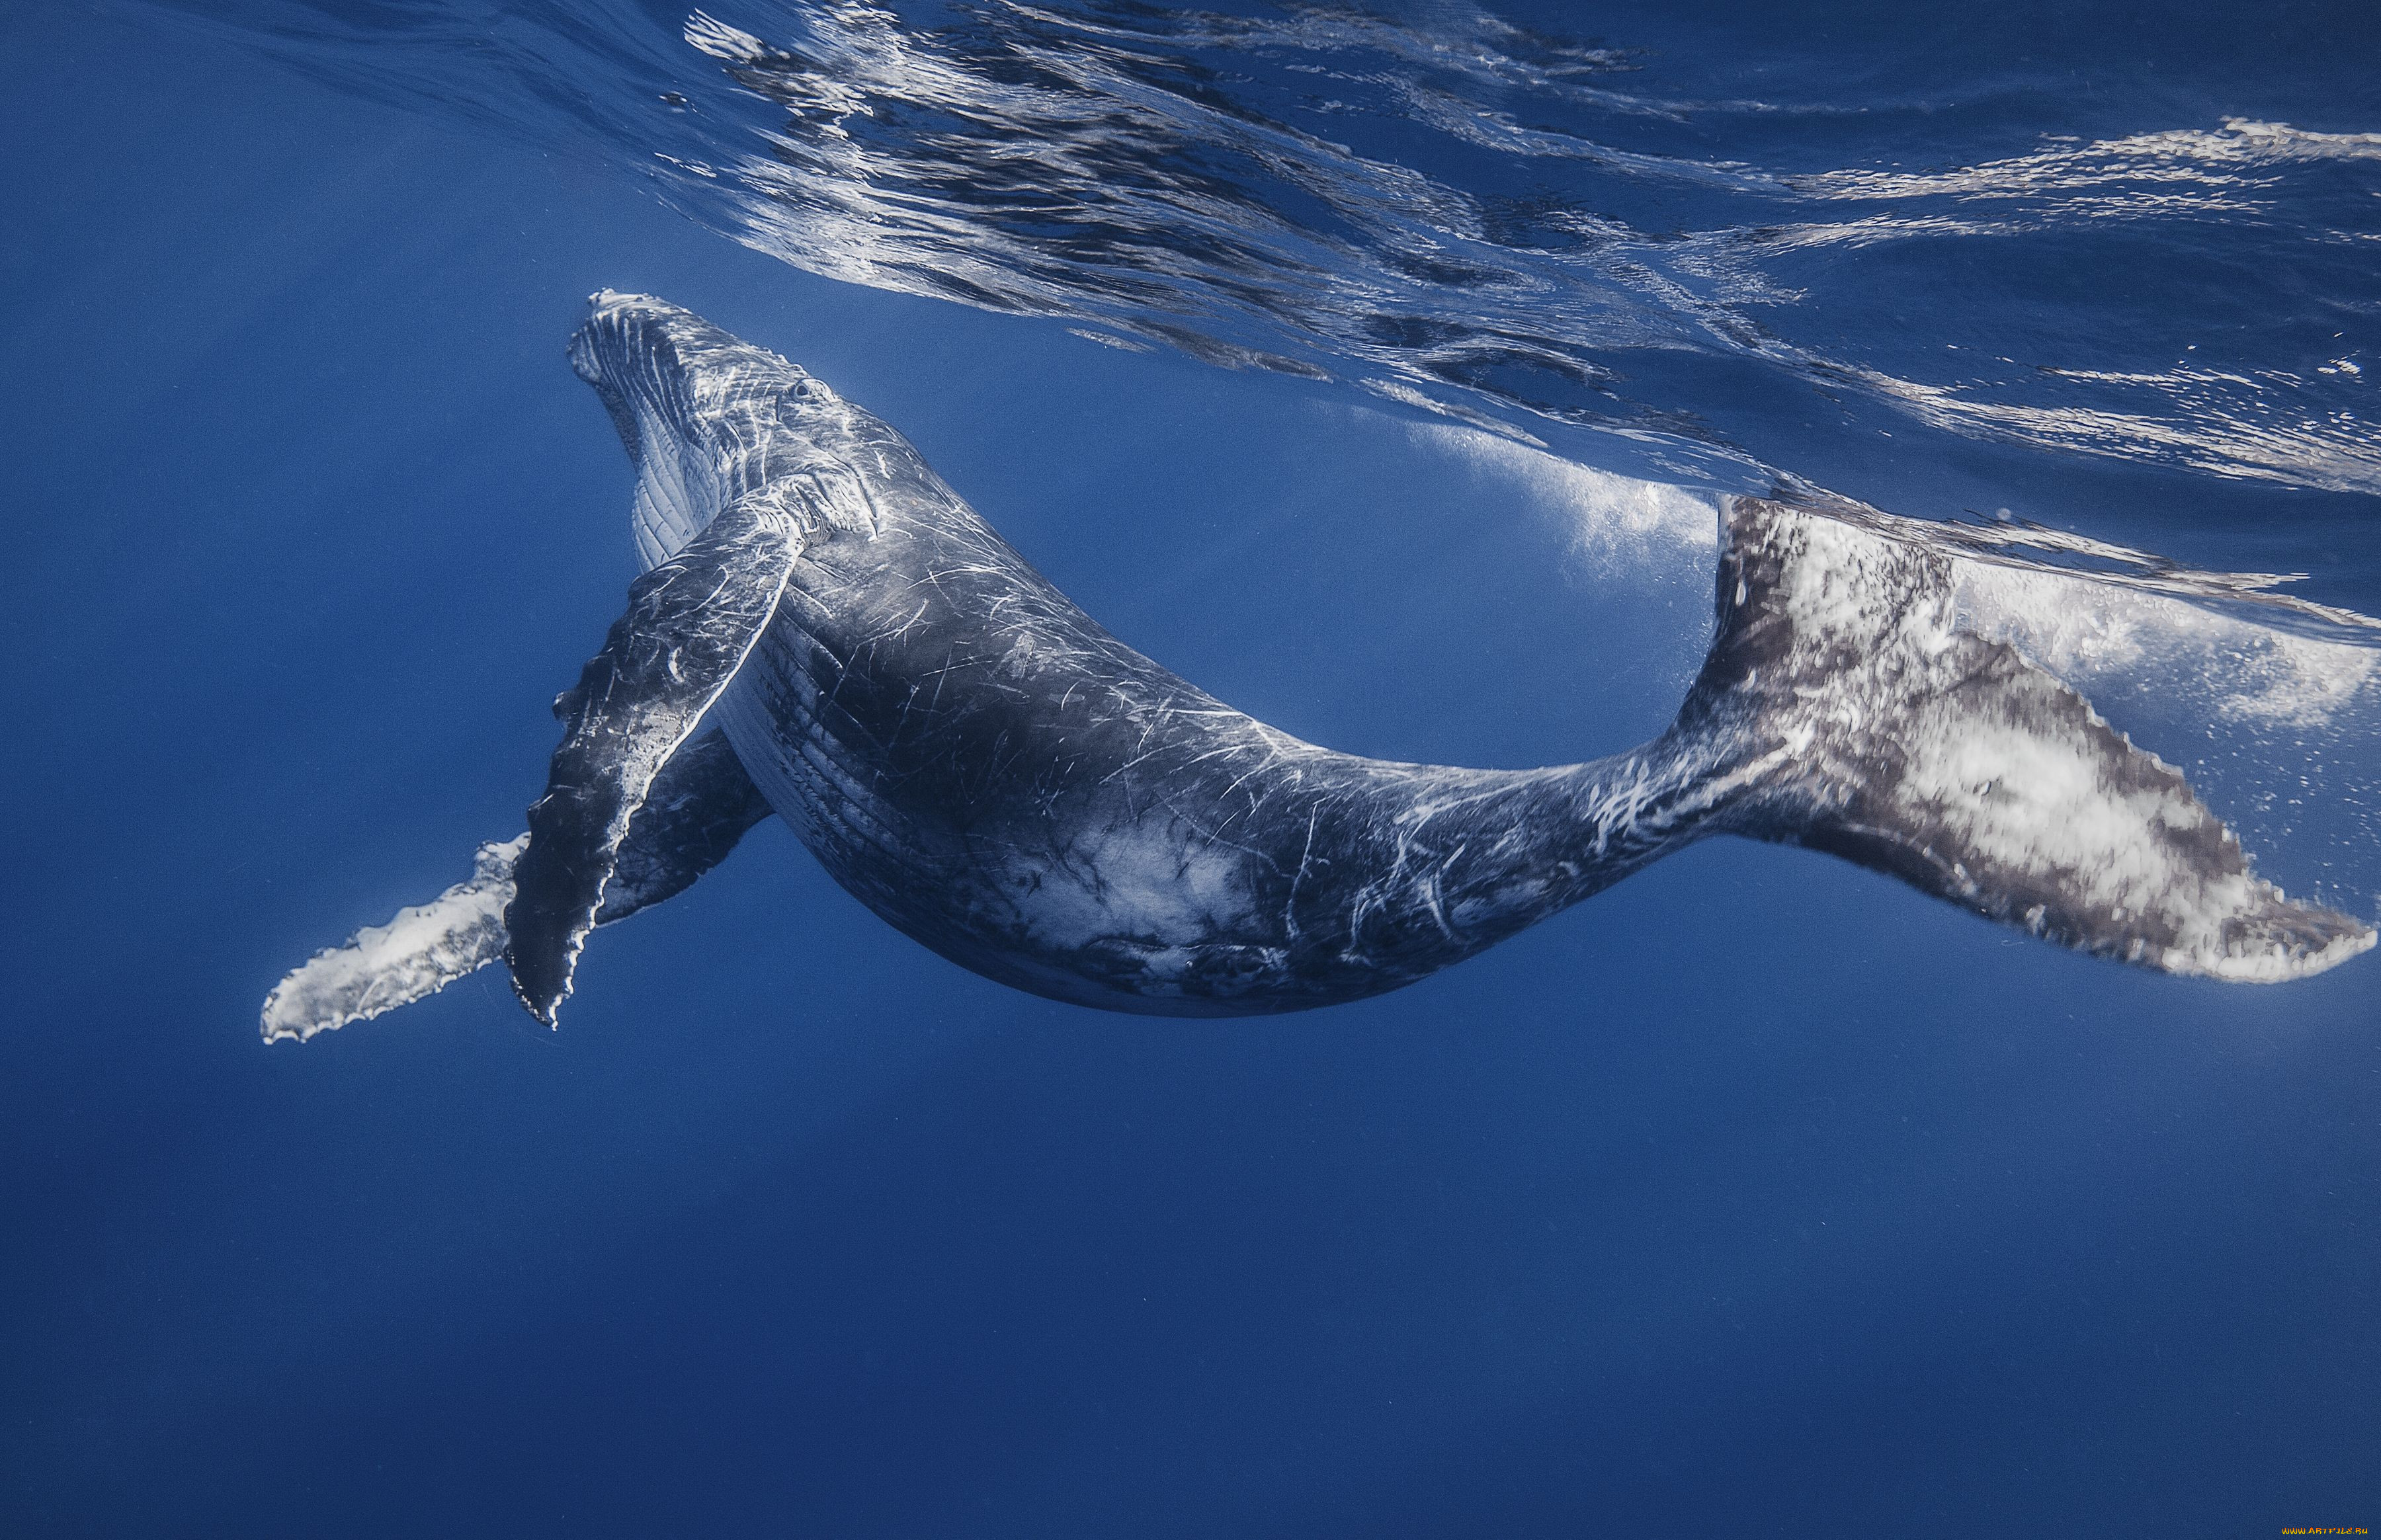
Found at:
(1849, 713)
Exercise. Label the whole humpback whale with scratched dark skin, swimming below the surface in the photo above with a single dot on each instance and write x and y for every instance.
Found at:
(830, 634)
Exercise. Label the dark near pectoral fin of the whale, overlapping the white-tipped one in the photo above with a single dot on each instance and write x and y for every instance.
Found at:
(692, 622)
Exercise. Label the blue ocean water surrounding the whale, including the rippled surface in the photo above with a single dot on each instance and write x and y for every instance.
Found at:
(1756, 1196)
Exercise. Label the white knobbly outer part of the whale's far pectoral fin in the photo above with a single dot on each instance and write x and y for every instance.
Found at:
(418, 953)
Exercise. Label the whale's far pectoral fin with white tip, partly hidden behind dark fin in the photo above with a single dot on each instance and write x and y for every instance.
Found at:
(692, 820)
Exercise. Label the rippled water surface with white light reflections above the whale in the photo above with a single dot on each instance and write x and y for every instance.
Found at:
(2011, 230)
